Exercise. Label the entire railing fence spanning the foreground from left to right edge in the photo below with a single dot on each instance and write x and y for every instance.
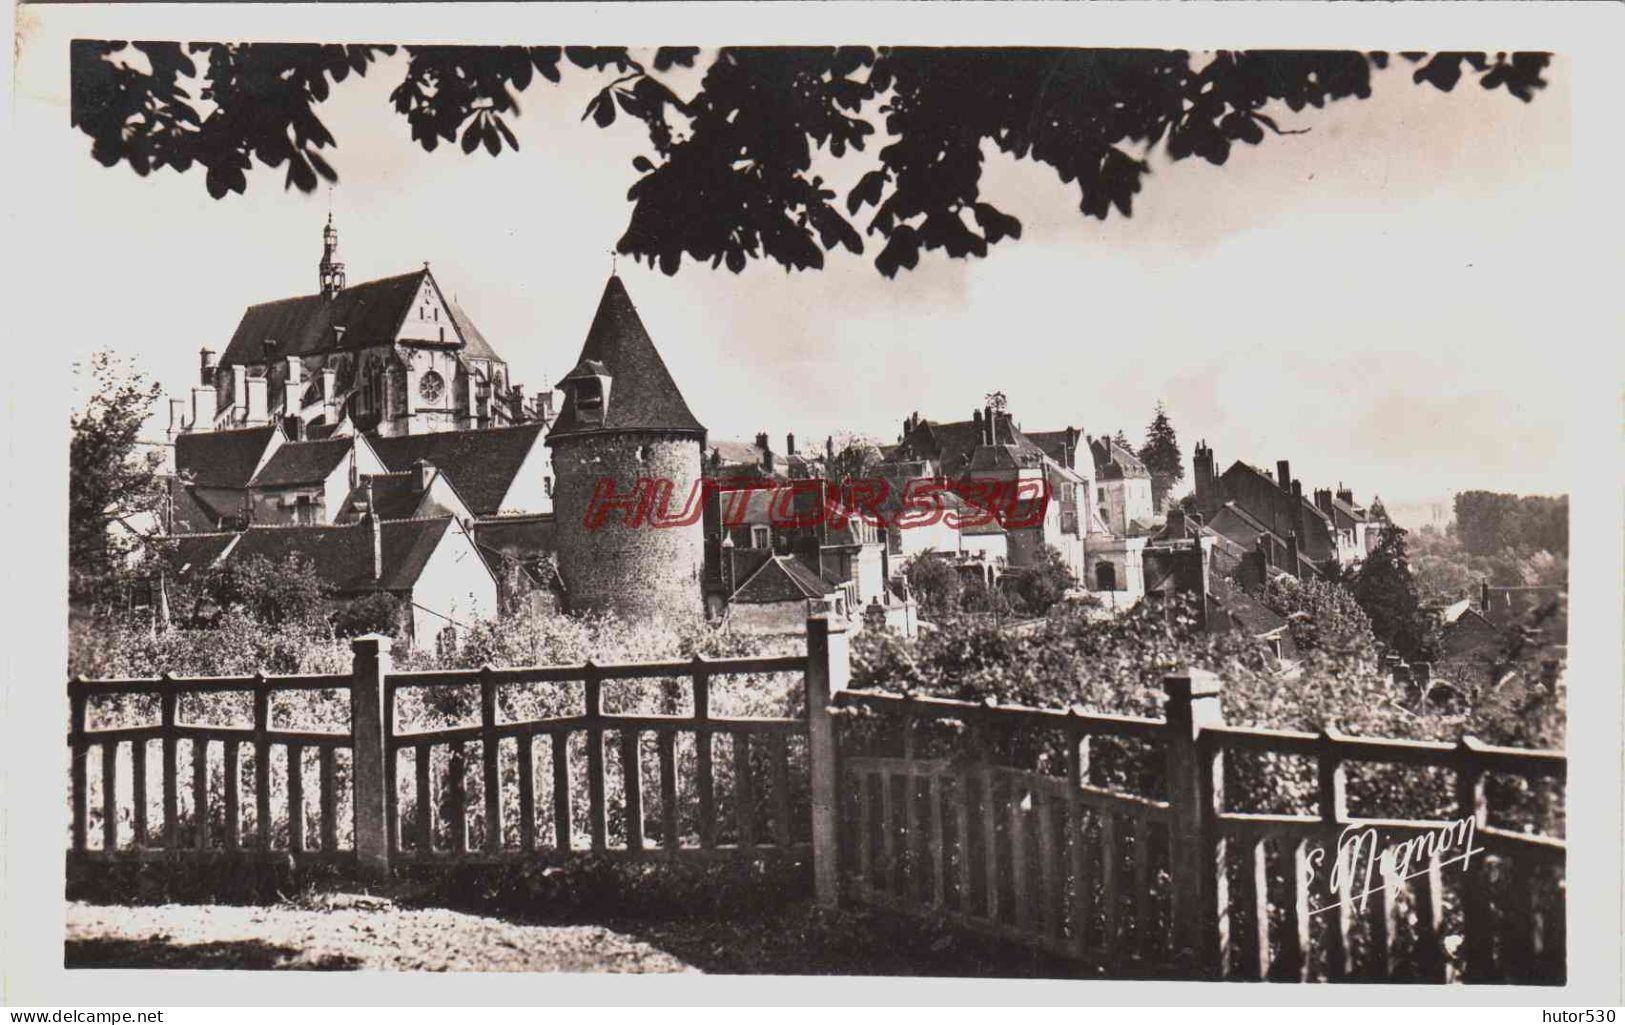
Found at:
(1114, 842)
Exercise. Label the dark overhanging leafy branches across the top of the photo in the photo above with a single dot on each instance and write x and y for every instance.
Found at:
(734, 170)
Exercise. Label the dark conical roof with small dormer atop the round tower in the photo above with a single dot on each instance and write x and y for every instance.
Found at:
(643, 396)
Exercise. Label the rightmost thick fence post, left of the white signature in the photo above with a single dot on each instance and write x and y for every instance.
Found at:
(1197, 857)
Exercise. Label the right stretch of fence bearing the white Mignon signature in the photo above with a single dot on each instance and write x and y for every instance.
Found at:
(1021, 824)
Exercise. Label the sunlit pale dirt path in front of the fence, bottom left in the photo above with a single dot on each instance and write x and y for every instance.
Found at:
(344, 933)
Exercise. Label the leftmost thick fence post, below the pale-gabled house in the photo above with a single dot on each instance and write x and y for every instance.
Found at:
(371, 753)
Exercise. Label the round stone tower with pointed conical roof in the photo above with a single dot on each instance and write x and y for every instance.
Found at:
(625, 422)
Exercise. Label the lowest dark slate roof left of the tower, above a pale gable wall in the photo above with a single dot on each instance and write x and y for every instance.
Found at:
(344, 555)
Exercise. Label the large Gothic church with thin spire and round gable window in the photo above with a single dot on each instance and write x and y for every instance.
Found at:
(392, 357)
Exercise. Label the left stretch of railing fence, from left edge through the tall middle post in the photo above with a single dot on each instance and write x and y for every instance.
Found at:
(407, 795)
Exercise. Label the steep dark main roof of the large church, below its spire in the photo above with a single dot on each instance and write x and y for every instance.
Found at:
(371, 314)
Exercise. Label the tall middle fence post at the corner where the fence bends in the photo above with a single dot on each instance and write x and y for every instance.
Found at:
(830, 668)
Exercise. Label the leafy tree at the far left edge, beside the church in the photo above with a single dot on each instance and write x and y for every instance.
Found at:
(108, 478)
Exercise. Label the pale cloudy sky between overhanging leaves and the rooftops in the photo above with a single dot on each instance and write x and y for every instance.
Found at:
(1372, 300)
